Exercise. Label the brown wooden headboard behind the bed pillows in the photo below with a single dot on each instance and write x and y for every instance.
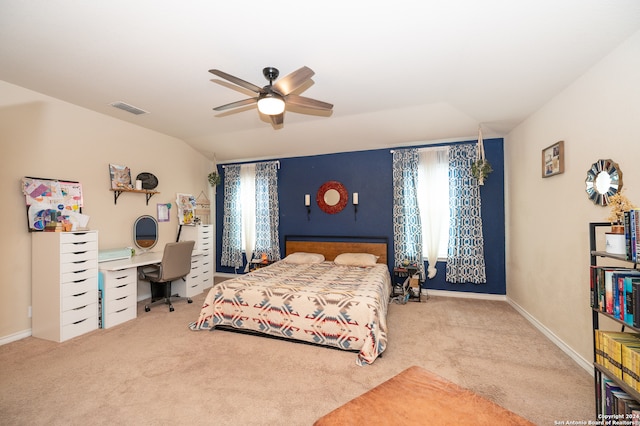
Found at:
(330, 247)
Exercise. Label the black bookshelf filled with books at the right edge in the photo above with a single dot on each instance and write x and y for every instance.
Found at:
(603, 363)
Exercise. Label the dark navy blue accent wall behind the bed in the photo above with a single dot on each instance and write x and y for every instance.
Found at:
(369, 173)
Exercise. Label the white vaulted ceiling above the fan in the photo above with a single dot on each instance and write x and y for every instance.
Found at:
(397, 72)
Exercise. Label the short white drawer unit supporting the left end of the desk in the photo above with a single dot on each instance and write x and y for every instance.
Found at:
(118, 296)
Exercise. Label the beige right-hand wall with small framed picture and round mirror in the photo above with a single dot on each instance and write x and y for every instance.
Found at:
(598, 116)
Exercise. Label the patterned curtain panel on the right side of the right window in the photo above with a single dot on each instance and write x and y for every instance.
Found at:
(465, 257)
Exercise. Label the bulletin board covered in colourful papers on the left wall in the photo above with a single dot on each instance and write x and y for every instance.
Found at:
(53, 200)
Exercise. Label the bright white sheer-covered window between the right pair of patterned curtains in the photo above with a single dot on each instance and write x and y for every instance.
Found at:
(433, 200)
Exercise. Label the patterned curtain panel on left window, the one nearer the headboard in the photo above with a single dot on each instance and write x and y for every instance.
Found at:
(267, 211)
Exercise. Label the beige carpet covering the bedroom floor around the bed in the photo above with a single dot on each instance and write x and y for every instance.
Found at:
(155, 371)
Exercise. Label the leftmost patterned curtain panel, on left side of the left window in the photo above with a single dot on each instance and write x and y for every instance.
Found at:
(232, 219)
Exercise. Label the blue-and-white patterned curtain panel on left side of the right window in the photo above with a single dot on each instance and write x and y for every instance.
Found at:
(407, 231)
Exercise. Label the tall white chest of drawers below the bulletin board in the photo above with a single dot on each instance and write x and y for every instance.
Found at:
(64, 284)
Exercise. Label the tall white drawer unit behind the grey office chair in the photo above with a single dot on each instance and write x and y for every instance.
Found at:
(201, 275)
